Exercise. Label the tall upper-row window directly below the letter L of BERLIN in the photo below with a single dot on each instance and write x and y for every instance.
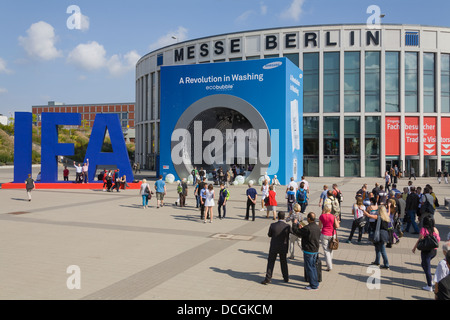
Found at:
(331, 82)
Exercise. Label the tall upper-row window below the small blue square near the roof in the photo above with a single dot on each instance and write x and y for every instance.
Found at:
(411, 80)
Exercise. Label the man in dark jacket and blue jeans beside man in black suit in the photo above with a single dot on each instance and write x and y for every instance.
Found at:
(310, 239)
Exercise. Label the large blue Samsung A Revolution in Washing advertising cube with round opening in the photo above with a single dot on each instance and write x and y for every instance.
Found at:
(245, 114)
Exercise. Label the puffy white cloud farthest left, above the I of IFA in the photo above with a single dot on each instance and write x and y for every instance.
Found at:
(40, 41)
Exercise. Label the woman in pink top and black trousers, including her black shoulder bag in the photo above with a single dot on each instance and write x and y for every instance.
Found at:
(428, 243)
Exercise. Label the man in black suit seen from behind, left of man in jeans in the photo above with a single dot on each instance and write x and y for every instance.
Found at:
(279, 233)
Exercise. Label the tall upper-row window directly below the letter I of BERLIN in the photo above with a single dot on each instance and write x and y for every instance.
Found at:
(352, 82)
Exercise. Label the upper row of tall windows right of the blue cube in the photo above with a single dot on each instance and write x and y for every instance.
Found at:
(372, 75)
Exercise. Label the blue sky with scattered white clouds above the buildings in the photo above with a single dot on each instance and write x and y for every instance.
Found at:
(85, 52)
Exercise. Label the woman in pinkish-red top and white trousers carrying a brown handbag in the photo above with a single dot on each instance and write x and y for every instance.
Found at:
(328, 225)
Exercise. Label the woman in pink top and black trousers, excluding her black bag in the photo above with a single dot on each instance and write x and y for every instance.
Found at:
(427, 255)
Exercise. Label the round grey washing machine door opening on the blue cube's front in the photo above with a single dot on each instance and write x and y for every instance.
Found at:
(239, 124)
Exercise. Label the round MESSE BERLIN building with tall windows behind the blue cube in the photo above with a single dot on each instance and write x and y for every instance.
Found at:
(373, 98)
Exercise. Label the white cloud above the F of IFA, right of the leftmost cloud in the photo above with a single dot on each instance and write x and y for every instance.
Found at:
(88, 56)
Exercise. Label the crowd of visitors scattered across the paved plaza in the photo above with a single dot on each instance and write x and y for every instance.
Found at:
(383, 213)
